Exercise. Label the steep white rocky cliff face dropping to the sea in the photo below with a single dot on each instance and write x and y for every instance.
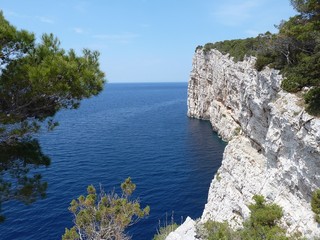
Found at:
(274, 145)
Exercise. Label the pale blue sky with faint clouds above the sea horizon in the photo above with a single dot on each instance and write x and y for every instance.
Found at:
(145, 40)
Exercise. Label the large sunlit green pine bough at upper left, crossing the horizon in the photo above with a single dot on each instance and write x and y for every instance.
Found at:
(38, 80)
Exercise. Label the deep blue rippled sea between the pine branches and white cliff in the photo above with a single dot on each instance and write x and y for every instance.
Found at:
(136, 130)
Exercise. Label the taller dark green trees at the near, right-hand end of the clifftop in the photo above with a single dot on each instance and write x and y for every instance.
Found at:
(296, 52)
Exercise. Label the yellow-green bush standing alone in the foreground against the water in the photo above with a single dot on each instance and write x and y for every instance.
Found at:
(105, 216)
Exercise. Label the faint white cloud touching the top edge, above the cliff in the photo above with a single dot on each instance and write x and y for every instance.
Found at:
(234, 13)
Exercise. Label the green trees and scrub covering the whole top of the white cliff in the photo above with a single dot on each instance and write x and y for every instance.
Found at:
(295, 50)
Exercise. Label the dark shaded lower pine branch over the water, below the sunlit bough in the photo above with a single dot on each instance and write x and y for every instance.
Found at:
(18, 177)
